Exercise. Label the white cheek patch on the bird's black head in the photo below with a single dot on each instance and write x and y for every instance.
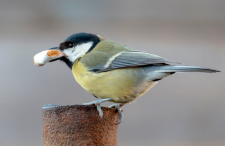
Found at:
(78, 51)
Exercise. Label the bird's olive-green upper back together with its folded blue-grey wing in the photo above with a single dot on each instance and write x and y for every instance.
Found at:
(116, 56)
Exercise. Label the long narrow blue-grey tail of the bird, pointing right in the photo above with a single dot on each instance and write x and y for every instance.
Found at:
(185, 69)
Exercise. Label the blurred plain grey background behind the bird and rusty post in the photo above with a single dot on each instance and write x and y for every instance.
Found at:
(185, 109)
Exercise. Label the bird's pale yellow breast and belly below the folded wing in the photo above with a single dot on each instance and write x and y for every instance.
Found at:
(119, 84)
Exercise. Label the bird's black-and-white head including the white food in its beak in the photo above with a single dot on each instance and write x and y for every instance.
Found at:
(73, 48)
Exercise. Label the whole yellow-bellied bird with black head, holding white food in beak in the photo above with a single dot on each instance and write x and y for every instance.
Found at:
(111, 71)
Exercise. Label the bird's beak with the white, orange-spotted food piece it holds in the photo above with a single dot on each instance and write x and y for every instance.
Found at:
(49, 55)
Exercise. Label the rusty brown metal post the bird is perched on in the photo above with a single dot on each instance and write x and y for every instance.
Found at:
(79, 125)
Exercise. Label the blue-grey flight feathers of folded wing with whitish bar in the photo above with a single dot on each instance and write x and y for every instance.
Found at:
(128, 59)
